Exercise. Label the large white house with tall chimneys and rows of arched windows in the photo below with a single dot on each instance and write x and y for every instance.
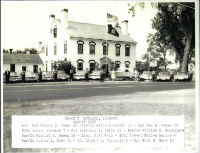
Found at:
(86, 45)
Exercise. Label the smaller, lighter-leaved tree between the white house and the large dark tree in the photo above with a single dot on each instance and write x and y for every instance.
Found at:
(157, 50)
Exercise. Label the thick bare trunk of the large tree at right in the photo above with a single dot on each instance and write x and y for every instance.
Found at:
(184, 65)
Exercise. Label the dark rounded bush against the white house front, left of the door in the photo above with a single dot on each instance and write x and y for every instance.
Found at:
(65, 66)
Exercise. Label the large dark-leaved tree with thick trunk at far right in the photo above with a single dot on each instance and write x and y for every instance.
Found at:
(175, 22)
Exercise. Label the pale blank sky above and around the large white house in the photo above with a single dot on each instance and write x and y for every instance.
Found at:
(24, 24)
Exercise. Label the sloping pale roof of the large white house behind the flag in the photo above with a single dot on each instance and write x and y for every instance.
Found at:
(93, 31)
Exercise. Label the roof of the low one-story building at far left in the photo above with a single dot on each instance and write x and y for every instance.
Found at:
(16, 58)
